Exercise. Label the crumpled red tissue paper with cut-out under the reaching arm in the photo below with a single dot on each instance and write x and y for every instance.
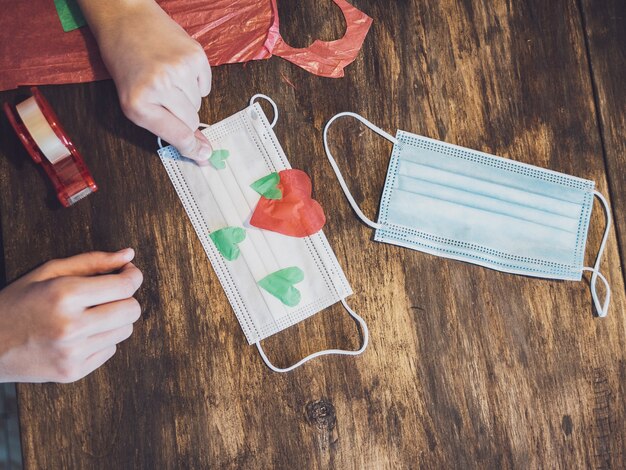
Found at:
(35, 50)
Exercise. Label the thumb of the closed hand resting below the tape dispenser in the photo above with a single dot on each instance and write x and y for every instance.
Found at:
(85, 264)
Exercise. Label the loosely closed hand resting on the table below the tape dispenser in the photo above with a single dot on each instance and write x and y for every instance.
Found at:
(63, 320)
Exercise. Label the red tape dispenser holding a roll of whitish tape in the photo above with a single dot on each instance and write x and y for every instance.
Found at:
(47, 143)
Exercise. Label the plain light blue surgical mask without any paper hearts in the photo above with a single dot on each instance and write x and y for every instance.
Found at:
(470, 206)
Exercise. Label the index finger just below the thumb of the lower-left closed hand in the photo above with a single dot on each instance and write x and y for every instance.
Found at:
(95, 290)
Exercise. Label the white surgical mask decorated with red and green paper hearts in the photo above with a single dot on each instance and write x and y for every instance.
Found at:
(260, 228)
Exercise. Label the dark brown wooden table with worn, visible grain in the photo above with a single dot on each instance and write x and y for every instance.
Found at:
(467, 367)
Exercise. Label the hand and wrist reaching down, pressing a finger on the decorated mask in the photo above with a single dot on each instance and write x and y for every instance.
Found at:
(161, 74)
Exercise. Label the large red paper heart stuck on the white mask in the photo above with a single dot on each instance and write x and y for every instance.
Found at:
(296, 214)
